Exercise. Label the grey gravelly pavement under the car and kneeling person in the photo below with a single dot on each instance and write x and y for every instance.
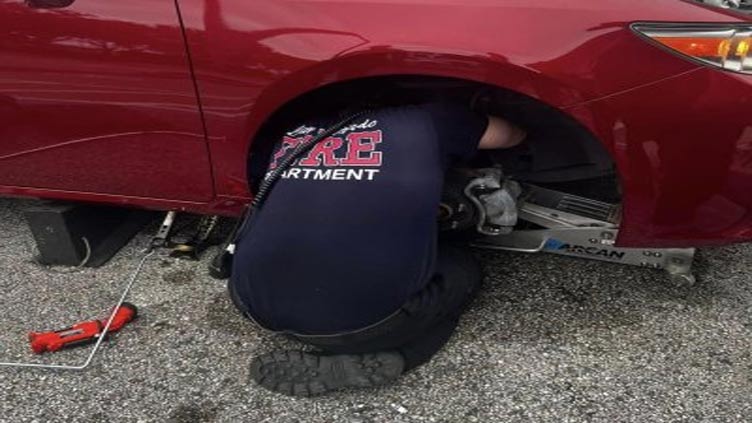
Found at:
(549, 339)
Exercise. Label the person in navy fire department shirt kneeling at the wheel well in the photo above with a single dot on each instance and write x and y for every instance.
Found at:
(344, 253)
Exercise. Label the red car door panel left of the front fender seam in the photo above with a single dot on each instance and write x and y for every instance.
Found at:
(96, 96)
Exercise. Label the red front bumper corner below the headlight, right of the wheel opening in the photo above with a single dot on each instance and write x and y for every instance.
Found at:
(684, 149)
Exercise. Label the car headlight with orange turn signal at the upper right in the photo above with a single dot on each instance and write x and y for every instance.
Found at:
(724, 46)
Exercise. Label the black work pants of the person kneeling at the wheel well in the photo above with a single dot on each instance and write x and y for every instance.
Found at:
(423, 325)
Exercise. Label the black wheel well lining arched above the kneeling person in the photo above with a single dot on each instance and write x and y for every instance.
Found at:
(558, 152)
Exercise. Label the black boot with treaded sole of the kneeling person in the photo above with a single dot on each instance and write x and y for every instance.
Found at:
(303, 374)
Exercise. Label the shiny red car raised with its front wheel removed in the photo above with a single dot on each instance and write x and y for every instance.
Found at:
(157, 103)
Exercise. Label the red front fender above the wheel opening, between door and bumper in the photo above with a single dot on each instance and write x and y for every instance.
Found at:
(252, 57)
